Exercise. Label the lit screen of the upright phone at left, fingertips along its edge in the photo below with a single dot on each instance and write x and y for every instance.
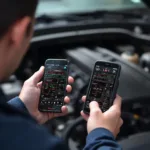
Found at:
(54, 86)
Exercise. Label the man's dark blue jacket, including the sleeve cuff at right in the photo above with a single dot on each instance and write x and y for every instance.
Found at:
(19, 131)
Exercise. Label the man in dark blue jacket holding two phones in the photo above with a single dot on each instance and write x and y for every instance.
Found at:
(20, 120)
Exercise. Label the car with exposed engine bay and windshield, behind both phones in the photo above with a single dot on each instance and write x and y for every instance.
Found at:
(119, 33)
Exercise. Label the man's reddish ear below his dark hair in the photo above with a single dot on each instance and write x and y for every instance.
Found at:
(19, 31)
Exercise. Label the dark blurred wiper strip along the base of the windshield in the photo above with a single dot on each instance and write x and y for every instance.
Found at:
(76, 17)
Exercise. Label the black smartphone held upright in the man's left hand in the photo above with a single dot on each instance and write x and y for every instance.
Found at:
(54, 85)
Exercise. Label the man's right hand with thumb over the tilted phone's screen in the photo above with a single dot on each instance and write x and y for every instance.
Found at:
(110, 120)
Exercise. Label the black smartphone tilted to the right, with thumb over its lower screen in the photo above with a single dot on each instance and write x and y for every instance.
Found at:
(103, 85)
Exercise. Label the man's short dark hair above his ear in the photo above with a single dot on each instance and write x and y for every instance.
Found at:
(13, 10)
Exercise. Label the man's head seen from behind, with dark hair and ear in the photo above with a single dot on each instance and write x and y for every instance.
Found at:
(16, 28)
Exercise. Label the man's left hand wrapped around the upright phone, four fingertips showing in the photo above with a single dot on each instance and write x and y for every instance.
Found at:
(30, 95)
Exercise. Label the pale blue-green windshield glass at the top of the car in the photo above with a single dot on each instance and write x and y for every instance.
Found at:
(75, 6)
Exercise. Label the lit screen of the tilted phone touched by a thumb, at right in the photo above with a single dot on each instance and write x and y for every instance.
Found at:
(101, 87)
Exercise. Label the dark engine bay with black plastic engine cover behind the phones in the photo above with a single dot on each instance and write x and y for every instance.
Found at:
(82, 54)
